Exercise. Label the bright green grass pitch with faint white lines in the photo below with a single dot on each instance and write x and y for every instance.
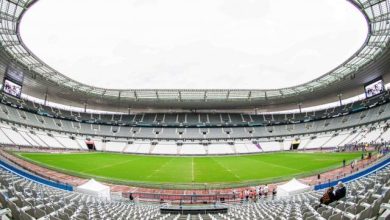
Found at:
(175, 169)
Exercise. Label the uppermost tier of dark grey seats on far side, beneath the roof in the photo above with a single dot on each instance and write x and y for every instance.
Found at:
(187, 119)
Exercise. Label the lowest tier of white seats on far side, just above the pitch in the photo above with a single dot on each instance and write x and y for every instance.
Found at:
(38, 135)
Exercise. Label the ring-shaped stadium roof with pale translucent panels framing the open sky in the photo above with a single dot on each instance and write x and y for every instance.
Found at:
(369, 62)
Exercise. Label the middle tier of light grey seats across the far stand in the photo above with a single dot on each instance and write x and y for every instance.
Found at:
(34, 121)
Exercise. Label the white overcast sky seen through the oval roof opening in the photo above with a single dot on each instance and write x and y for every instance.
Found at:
(198, 44)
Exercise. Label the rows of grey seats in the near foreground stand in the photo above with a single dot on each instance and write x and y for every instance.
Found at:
(21, 198)
